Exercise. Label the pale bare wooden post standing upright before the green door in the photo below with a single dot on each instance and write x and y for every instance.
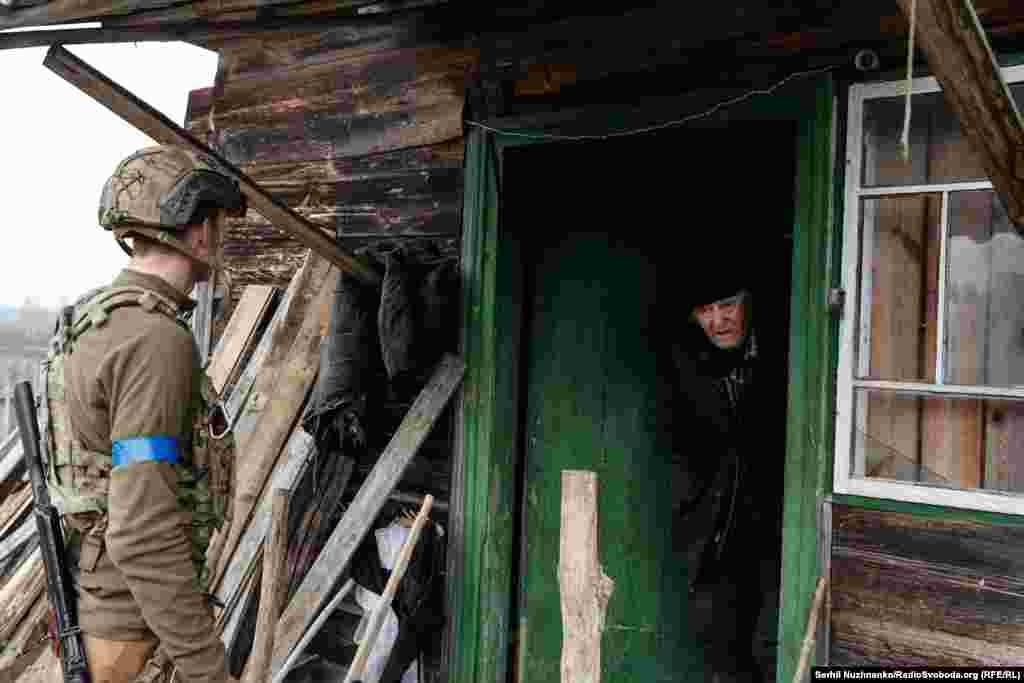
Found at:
(584, 587)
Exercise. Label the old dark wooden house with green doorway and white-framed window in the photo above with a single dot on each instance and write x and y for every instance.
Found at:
(570, 154)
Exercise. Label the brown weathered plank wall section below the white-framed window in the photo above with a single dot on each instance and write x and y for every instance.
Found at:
(911, 590)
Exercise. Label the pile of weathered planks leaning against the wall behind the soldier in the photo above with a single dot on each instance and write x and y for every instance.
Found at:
(265, 366)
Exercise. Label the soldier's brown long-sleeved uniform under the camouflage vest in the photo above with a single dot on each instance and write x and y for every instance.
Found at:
(134, 377)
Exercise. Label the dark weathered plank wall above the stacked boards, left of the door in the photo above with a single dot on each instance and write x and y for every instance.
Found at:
(360, 130)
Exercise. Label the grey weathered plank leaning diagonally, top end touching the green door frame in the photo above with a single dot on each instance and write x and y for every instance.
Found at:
(356, 524)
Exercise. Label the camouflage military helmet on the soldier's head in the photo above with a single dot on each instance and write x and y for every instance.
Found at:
(159, 191)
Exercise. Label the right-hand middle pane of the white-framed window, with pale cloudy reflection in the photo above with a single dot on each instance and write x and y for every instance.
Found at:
(985, 293)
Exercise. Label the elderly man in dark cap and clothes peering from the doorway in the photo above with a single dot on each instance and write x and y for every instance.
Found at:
(732, 518)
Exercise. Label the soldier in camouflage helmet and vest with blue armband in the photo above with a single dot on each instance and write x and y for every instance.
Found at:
(123, 390)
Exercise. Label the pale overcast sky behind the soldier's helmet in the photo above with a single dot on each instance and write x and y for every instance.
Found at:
(60, 146)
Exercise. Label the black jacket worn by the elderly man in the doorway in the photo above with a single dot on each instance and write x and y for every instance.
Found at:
(729, 442)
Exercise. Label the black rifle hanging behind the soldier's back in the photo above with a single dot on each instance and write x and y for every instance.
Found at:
(60, 589)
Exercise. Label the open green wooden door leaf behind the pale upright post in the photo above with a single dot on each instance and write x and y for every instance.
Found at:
(594, 401)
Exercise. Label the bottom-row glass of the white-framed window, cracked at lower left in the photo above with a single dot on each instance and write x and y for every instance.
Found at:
(952, 442)
